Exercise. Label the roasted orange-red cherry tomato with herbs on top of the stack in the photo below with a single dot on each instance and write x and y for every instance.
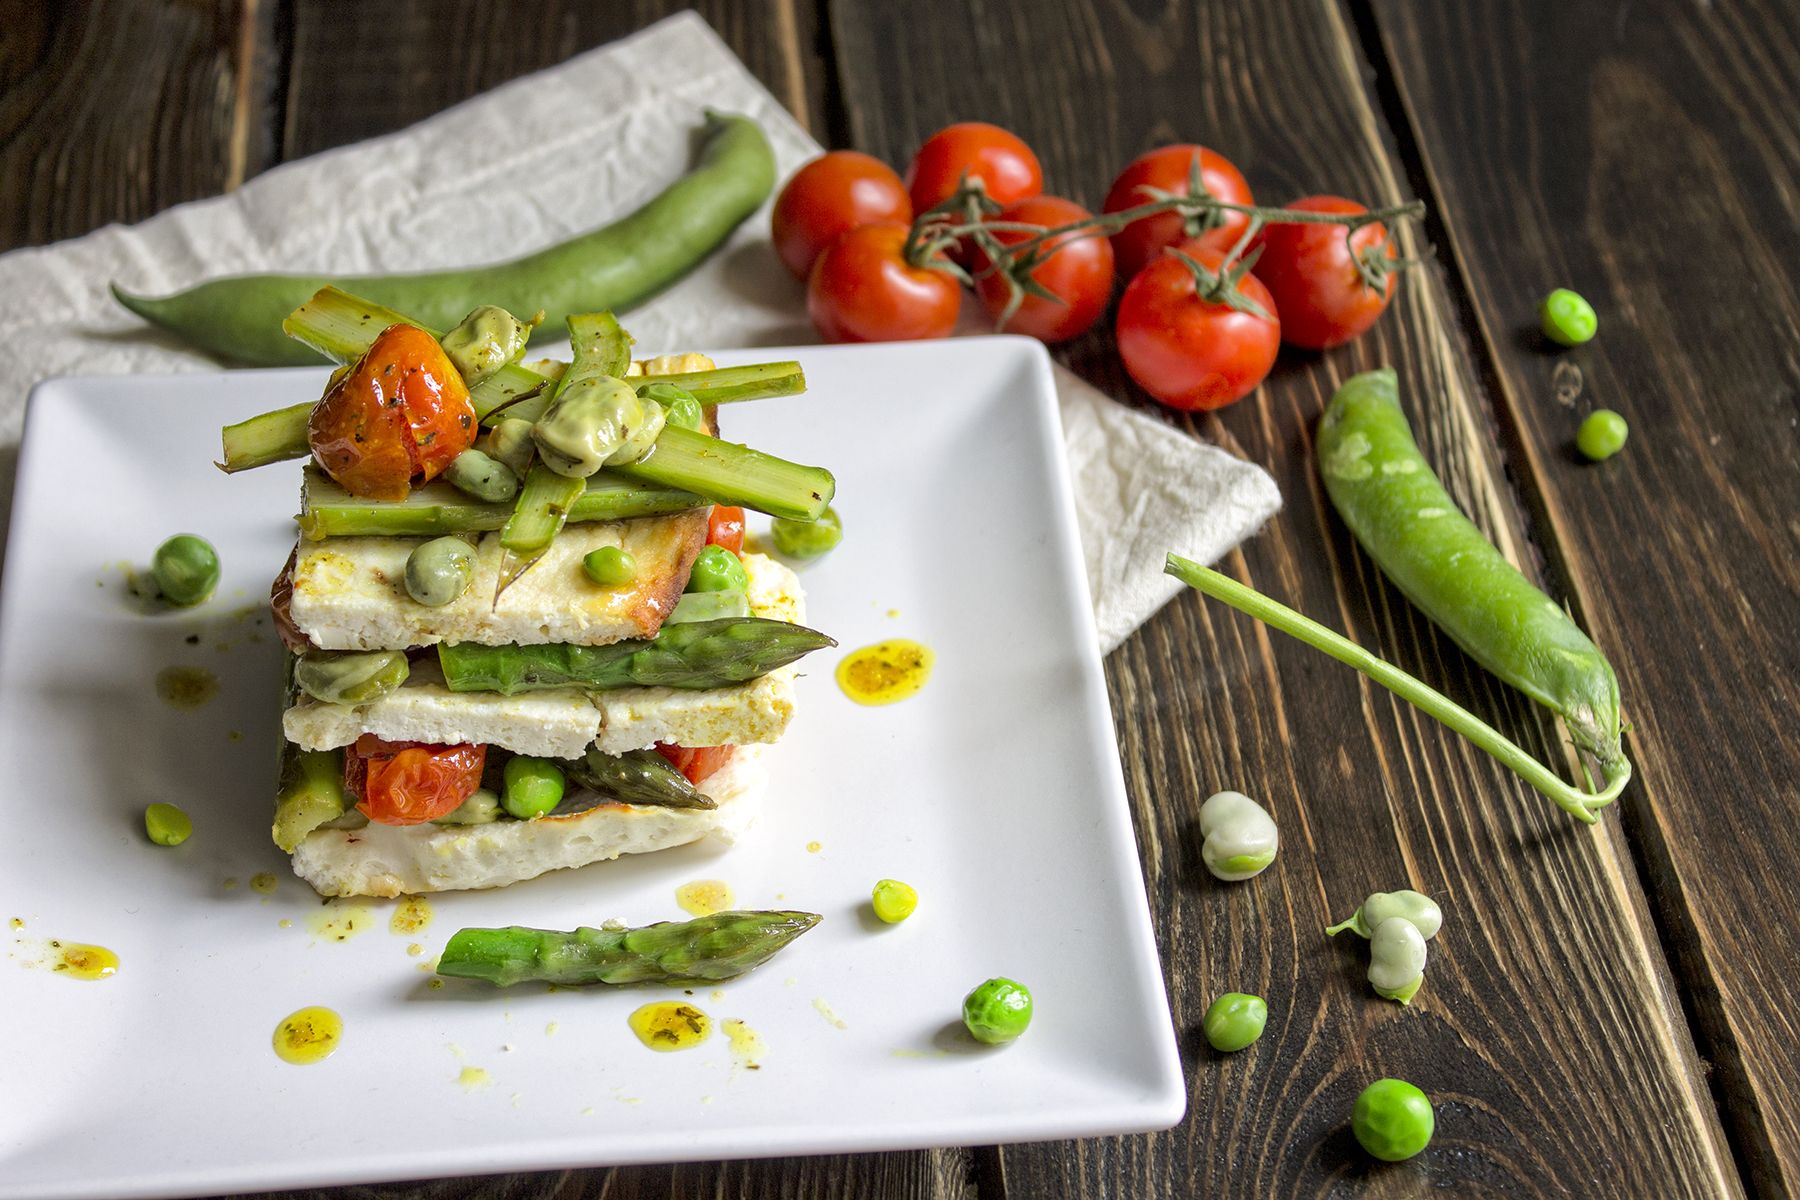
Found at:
(397, 418)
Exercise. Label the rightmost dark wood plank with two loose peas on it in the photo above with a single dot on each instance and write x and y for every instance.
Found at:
(1650, 159)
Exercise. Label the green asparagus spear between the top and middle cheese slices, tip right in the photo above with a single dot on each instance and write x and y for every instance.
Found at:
(701, 654)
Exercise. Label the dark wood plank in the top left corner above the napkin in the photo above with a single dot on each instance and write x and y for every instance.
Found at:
(116, 111)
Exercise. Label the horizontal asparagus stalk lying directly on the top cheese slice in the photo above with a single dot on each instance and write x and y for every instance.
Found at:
(436, 510)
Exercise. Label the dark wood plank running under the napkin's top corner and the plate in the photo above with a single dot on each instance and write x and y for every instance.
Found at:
(348, 84)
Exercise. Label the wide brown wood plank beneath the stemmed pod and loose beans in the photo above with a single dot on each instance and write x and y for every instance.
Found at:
(1547, 1001)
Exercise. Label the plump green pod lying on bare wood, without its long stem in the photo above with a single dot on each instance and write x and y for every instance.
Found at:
(1416, 533)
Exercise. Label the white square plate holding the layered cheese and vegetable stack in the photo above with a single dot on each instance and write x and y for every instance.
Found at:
(996, 793)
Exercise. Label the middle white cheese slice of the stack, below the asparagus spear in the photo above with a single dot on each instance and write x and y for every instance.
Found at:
(564, 722)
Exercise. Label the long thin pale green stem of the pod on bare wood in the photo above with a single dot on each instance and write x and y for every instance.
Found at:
(1426, 699)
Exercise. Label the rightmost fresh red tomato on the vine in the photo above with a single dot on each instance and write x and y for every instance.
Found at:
(1315, 280)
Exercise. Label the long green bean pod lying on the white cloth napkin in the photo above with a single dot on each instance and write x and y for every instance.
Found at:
(618, 265)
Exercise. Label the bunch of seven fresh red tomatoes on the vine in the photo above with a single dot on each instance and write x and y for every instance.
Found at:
(841, 224)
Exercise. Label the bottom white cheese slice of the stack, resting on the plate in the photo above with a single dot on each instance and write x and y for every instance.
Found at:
(406, 861)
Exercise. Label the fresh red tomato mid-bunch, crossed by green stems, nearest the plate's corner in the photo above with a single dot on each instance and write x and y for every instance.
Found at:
(1079, 271)
